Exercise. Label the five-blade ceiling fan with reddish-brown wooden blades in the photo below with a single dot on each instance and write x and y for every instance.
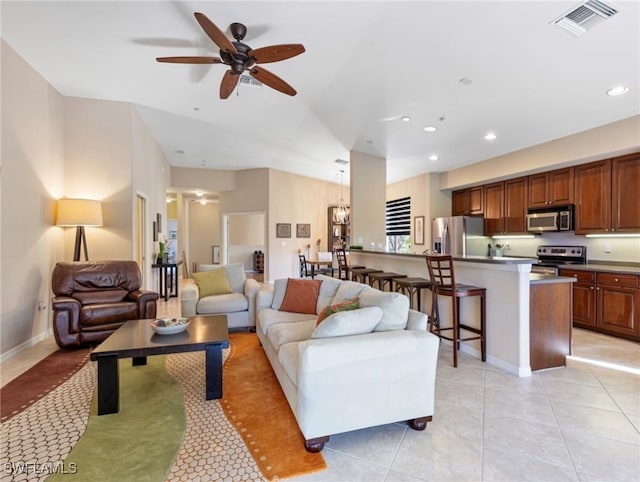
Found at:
(240, 57)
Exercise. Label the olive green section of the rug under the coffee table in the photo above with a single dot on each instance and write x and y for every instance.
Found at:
(140, 442)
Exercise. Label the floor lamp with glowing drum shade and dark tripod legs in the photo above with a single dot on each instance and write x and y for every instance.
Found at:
(79, 213)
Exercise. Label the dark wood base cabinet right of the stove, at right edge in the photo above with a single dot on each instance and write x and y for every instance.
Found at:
(606, 302)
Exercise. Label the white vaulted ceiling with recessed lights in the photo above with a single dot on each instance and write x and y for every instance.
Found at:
(366, 64)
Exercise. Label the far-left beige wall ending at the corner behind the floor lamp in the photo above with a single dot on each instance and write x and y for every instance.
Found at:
(32, 179)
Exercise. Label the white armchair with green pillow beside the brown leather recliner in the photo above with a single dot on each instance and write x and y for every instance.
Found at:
(239, 306)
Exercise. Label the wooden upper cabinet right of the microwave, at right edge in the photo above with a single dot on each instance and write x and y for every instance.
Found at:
(607, 196)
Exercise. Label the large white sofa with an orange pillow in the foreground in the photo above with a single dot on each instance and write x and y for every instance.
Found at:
(337, 384)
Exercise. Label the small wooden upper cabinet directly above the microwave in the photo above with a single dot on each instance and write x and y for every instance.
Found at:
(553, 188)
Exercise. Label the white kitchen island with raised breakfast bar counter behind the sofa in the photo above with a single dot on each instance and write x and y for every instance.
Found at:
(508, 283)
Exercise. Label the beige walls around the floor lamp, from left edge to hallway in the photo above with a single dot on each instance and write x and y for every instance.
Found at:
(53, 147)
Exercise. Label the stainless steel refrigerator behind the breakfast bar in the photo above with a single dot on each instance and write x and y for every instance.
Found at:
(459, 236)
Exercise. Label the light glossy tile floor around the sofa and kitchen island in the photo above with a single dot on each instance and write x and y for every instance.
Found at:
(580, 423)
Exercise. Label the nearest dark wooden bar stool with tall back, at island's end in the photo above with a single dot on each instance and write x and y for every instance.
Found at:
(443, 282)
